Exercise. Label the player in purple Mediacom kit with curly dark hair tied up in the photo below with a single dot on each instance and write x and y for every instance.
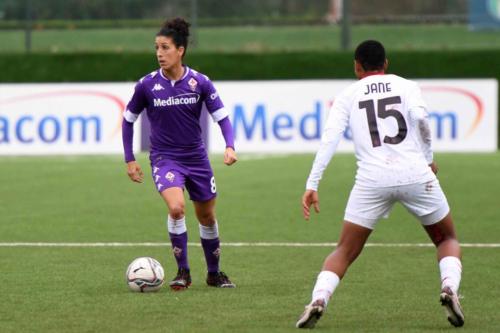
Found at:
(173, 97)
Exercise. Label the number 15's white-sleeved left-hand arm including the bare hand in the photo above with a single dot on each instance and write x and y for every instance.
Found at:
(336, 124)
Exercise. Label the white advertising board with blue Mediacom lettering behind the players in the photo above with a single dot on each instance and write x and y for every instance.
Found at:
(268, 116)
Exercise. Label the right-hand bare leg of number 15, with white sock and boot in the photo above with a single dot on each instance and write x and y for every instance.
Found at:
(443, 236)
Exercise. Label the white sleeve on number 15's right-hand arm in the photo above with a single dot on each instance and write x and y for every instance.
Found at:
(419, 117)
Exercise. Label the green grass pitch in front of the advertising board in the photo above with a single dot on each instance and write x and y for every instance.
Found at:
(90, 199)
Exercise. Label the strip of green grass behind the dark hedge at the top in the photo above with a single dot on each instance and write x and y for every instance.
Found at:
(257, 39)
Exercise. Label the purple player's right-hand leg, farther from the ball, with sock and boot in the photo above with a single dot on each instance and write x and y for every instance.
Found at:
(209, 235)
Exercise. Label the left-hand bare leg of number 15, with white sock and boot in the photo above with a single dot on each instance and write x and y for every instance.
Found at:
(350, 245)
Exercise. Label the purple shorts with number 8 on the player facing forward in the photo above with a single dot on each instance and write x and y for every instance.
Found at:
(197, 176)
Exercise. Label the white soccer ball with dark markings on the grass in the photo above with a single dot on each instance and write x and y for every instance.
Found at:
(145, 274)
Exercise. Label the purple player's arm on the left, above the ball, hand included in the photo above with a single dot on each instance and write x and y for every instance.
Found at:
(137, 103)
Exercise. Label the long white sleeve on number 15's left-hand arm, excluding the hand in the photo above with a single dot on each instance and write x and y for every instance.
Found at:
(336, 124)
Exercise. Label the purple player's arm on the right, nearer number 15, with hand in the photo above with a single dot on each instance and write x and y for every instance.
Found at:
(220, 115)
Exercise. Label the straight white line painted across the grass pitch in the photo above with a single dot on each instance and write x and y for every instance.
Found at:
(242, 244)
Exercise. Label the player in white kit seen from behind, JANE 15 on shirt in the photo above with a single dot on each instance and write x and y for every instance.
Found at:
(388, 120)
